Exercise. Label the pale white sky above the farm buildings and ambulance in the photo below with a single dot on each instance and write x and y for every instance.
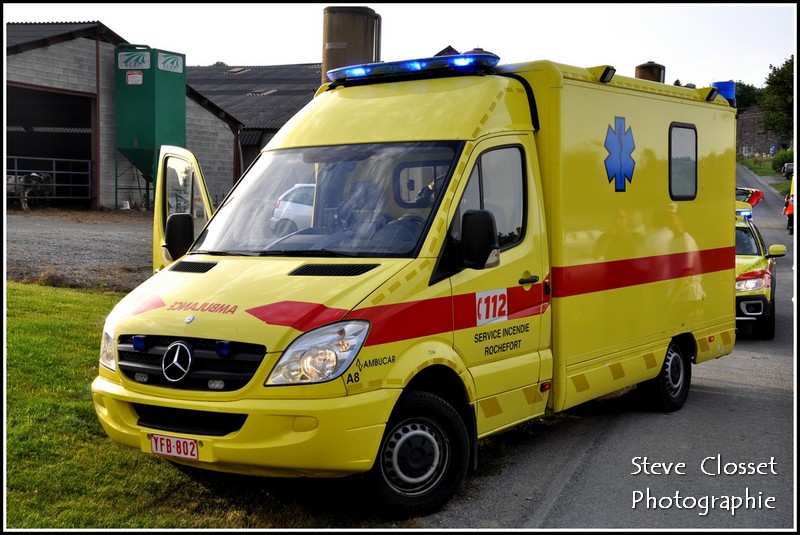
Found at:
(697, 43)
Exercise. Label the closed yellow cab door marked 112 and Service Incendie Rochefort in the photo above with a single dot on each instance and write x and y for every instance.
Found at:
(501, 313)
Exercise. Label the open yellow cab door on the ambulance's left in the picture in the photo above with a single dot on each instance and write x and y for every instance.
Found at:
(179, 188)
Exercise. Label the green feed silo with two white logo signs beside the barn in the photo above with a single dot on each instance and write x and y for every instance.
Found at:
(150, 96)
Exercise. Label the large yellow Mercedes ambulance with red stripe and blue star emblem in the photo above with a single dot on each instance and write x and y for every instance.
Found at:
(487, 243)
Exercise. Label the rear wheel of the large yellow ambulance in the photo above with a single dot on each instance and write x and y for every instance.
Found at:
(669, 389)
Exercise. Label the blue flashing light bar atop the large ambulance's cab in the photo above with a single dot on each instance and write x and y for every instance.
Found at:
(467, 62)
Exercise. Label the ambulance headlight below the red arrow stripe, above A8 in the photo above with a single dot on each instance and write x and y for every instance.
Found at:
(320, 355)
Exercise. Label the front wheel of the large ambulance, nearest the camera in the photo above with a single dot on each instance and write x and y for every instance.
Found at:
(423, 457)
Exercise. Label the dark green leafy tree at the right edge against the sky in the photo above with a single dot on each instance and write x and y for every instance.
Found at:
(777, 101)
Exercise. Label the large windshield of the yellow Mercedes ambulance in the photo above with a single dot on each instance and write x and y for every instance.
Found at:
(370, 200)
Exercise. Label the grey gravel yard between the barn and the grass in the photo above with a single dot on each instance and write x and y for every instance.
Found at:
(109, 250)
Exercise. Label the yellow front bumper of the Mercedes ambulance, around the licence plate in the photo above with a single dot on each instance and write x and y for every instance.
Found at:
(329, 437)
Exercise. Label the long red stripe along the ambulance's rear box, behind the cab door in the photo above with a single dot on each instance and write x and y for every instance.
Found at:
(588, 278)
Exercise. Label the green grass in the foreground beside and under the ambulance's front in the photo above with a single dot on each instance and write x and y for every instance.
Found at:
(63, 472)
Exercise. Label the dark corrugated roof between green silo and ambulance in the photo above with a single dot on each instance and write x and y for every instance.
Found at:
(261, 97)
